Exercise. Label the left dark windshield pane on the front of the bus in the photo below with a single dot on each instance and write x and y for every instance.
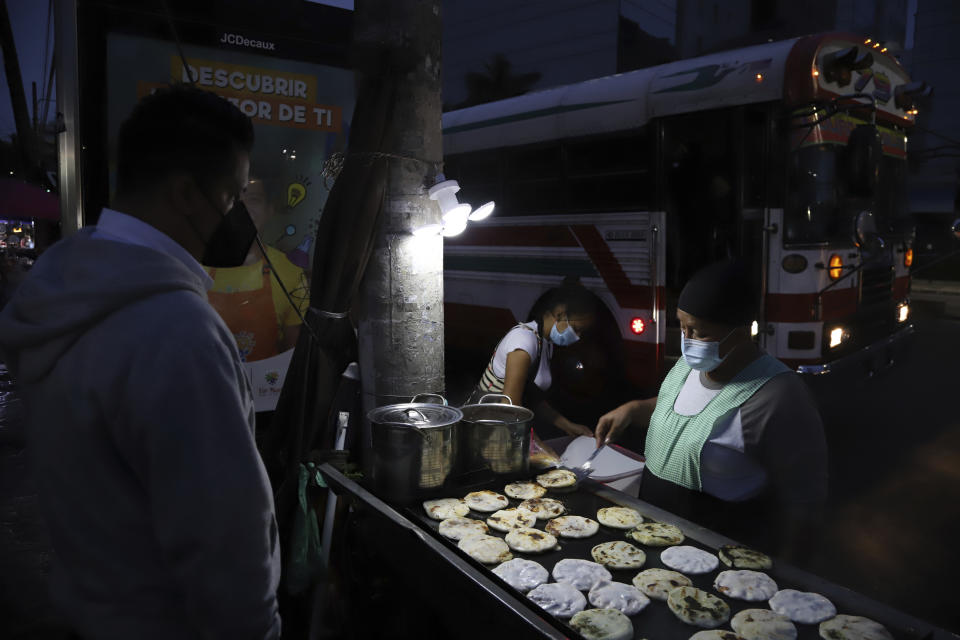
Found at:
(813, 195)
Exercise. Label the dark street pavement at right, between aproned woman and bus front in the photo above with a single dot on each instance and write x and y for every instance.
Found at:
(893, 522)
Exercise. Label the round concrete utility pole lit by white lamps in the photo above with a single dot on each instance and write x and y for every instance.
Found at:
(401, 323)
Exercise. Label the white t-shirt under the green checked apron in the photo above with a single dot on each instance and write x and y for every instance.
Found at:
(726, 471)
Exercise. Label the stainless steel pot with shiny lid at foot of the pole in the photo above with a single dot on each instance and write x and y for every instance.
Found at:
(413, 448)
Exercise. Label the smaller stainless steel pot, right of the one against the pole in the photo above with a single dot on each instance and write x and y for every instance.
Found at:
(496, 436)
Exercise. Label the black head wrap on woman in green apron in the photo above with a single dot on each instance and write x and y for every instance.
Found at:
(722, 292)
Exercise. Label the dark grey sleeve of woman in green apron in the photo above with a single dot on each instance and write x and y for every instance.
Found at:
(783, 429)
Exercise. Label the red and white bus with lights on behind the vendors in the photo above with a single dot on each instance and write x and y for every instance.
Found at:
(790, 154)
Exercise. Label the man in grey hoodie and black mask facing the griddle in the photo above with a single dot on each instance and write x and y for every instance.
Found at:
(139, 416)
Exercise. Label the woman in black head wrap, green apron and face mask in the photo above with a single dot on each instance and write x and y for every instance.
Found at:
(734, 440)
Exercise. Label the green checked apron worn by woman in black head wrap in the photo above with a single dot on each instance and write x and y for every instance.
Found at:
(674, 441)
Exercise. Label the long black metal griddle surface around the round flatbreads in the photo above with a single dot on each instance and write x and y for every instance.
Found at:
(656, 620)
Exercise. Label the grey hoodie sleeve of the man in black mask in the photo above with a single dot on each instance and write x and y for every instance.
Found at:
(190, 441)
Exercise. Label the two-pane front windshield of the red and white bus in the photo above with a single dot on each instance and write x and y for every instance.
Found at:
(818, 206)
